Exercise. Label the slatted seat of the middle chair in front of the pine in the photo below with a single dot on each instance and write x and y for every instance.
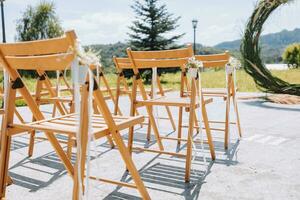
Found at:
(170, 101)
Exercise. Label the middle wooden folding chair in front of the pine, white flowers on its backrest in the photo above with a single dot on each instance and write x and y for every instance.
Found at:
(168, 59)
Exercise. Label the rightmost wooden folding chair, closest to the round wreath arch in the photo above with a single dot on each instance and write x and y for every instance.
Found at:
(227, 93)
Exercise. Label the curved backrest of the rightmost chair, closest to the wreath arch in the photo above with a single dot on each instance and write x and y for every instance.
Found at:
(214, 60)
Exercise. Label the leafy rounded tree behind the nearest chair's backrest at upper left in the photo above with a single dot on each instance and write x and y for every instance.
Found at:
(40, 22)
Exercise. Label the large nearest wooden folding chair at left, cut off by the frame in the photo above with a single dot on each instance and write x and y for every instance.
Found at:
(54, 54)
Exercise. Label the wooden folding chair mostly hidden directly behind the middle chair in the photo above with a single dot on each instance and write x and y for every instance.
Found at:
(125, 64)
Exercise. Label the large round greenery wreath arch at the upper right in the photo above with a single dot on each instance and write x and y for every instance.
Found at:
(251, 50)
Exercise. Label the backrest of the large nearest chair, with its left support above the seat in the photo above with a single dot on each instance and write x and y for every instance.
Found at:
(41, 55)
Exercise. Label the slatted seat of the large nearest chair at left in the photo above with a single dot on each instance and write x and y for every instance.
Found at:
(67, 124)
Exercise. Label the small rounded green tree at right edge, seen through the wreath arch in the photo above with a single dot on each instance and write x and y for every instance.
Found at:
(291, 55)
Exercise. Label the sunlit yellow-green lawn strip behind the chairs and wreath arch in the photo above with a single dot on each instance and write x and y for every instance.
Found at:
(213, 79)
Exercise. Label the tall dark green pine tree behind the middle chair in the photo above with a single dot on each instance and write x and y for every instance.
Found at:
(153, 22)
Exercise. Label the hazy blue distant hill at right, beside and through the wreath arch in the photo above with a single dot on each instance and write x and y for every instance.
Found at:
(273, 44)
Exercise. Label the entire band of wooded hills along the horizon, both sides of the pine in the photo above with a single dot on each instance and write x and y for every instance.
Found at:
(273, 46)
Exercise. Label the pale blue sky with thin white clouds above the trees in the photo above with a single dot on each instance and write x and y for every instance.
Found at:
(107, 21)
